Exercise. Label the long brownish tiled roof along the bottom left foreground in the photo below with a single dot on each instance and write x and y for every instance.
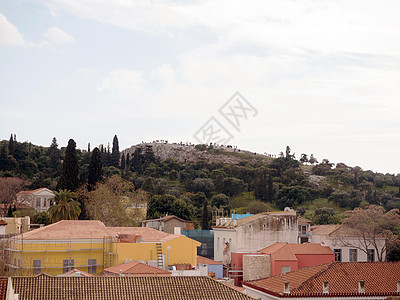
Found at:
(44, 287)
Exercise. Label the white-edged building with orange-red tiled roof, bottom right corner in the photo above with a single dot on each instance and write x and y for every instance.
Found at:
(337, 280)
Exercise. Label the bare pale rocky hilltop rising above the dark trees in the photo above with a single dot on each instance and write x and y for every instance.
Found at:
(188, 153)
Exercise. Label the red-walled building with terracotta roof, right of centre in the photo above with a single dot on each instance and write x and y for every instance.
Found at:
(287, 257)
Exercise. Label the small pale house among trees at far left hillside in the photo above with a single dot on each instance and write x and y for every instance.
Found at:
(39, 199)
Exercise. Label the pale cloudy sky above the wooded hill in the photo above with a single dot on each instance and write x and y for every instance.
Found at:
(320, 76)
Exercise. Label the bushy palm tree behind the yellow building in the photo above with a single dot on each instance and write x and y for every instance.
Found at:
(66, 208)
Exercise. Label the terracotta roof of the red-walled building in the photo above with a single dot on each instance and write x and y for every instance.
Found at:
(286, 251)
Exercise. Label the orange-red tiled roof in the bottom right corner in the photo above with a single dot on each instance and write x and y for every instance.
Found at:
(380, 278)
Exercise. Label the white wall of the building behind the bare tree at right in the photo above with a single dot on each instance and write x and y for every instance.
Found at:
(337, 243)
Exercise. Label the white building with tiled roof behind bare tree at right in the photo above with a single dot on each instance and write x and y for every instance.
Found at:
(346, 245)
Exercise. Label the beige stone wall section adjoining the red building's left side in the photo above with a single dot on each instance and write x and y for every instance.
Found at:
(256, 267)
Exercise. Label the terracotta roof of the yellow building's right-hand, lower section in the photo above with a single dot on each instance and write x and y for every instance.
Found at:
(148, 234)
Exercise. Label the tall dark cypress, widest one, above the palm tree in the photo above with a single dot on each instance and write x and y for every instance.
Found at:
(70, 174)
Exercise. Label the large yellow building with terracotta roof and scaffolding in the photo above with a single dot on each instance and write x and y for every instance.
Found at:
(90, 247)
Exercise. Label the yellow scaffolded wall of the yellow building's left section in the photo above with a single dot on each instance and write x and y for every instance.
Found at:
(51, 254)
